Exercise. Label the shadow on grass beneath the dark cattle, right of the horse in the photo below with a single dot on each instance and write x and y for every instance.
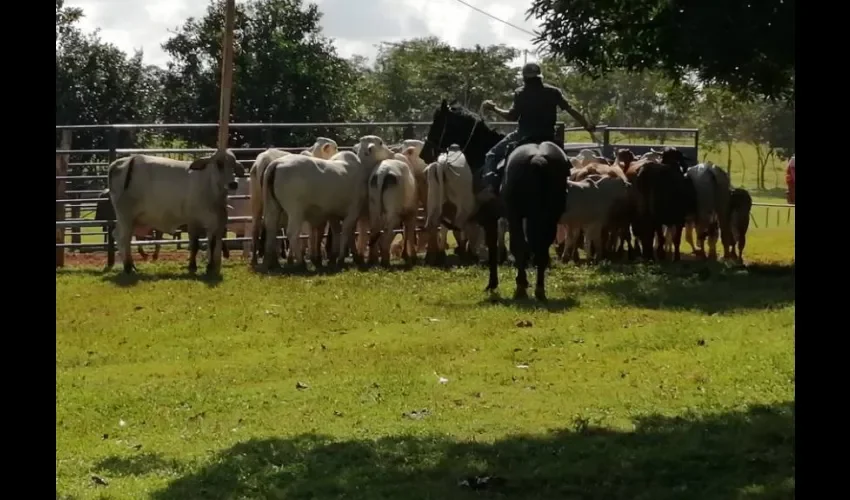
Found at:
(705, 286)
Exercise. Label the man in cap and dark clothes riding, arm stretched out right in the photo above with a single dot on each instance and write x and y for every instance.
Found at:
(535, 109)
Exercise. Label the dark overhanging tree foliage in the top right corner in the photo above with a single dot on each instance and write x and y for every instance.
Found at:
(748, 46)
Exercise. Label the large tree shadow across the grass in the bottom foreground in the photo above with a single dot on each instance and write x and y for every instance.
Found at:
(732, 455)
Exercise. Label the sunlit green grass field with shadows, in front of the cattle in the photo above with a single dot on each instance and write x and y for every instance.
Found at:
(636, 382)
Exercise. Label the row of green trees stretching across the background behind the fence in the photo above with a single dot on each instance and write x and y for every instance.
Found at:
(286, 70)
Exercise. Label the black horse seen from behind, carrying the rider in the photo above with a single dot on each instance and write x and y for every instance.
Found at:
(534, 189)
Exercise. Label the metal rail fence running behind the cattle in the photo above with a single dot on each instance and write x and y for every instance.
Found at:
(74, 201)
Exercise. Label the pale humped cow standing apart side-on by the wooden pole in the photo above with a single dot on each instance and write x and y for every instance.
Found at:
(165, 194)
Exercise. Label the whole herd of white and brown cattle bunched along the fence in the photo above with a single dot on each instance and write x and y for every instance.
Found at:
(623, 207)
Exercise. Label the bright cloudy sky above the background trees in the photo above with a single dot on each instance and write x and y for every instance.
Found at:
(356, 26)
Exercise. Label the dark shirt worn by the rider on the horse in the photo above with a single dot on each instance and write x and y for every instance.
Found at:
(535, 107)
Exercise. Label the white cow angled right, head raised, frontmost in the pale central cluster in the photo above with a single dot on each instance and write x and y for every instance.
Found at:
(298, 188)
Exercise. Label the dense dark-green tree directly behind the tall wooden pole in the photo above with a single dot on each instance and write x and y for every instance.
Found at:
(284, 71)
